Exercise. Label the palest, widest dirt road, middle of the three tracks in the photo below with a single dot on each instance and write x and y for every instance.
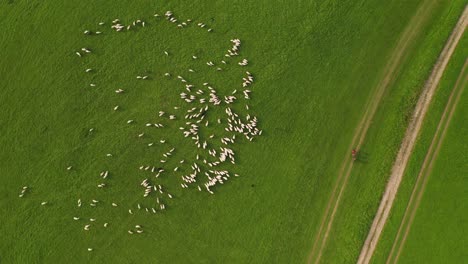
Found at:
(409, 140)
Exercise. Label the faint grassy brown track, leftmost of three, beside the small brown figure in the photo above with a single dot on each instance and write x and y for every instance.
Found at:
(390, 70)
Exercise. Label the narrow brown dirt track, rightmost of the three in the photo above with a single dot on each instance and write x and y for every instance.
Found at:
(428, 164)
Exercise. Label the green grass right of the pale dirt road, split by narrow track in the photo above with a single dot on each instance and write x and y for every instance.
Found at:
(436, 234)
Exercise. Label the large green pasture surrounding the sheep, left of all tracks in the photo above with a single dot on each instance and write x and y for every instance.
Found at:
(315, 64)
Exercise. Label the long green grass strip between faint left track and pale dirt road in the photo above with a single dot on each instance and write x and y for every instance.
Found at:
(369, 177)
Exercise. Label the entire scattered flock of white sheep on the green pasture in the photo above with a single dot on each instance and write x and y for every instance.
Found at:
(195, 120)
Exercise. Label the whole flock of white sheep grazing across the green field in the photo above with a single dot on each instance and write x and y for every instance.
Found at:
(205, 169)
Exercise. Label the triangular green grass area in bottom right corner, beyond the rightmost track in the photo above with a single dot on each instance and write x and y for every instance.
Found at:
(437, 233)
